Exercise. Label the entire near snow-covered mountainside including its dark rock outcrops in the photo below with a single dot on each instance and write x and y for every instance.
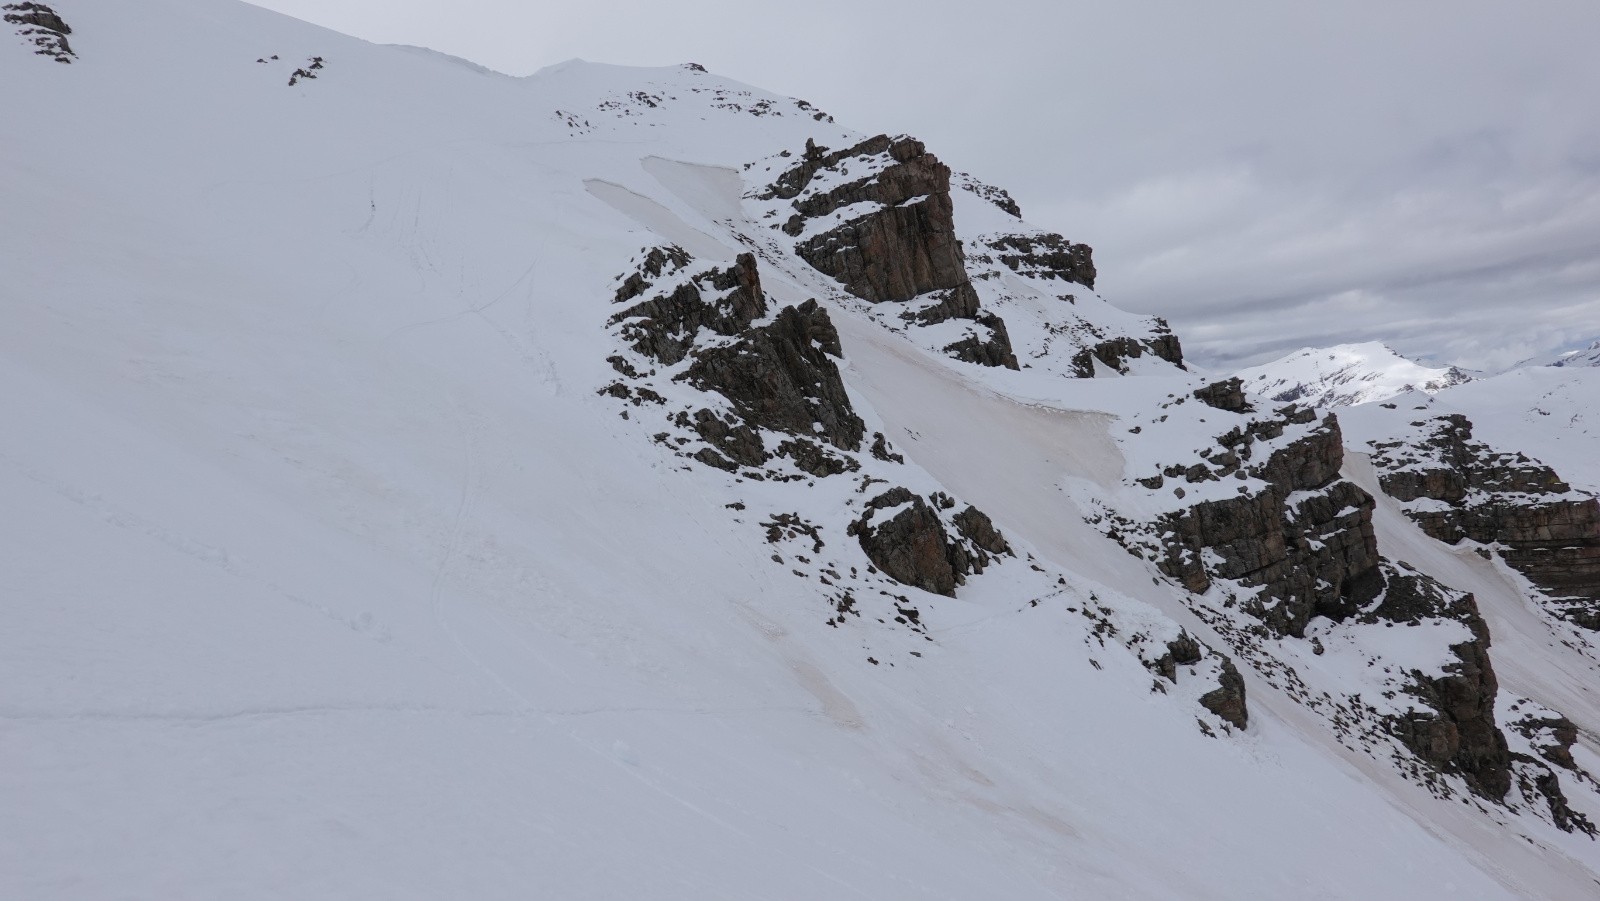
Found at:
(423, 483)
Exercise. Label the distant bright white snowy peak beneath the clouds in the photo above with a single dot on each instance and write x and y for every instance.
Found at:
(1346, 375)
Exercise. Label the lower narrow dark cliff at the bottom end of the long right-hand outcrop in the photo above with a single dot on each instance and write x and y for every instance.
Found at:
(1457, 734)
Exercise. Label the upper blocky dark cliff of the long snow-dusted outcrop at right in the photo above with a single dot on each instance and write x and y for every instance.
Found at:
(1306, 540)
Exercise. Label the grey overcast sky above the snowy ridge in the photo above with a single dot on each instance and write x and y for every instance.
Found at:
(1266, 175)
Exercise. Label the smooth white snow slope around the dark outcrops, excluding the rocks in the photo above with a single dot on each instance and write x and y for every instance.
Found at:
(330, 574)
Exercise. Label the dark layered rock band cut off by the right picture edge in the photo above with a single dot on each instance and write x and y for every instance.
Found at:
(1460, 489)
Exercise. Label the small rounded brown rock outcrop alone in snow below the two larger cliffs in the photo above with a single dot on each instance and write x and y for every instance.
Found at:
(914, 548)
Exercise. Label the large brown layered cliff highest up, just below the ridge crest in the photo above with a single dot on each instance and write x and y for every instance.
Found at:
(879, 218)
